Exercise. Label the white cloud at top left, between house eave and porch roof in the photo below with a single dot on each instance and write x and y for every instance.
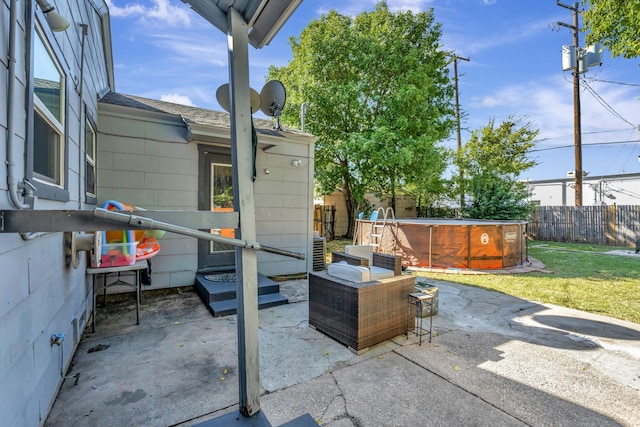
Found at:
(161, 10)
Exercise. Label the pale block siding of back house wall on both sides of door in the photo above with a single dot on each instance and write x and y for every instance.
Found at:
(146, 159)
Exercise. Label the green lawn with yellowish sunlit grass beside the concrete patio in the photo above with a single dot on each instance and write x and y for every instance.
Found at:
(580, 277)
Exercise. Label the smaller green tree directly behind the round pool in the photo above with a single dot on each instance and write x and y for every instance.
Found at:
(492, 160)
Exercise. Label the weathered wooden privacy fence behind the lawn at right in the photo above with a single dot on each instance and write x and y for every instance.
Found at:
(603, 225)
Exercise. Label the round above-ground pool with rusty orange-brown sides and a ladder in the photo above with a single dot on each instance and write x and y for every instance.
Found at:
(450, 243)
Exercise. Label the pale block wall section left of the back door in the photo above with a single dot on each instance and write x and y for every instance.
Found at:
(144, 160)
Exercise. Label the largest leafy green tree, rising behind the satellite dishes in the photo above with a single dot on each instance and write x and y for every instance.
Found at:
(378, 96)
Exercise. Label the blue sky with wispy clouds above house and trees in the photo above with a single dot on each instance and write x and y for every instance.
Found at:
(163, 50)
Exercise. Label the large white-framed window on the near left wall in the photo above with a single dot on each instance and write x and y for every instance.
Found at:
(48, 117)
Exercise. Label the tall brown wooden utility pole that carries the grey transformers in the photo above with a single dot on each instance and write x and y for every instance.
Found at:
(577, 132)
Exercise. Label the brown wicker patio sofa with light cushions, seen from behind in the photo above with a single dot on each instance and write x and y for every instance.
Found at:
(361, 314)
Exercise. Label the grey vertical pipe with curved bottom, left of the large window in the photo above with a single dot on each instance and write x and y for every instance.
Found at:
(12, 184)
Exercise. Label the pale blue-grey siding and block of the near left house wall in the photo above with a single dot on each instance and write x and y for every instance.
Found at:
(39, 294)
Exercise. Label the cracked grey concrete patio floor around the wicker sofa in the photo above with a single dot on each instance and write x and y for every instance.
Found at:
(496, 360)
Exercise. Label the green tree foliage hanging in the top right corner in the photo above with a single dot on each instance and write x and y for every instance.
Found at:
(615, 23)
